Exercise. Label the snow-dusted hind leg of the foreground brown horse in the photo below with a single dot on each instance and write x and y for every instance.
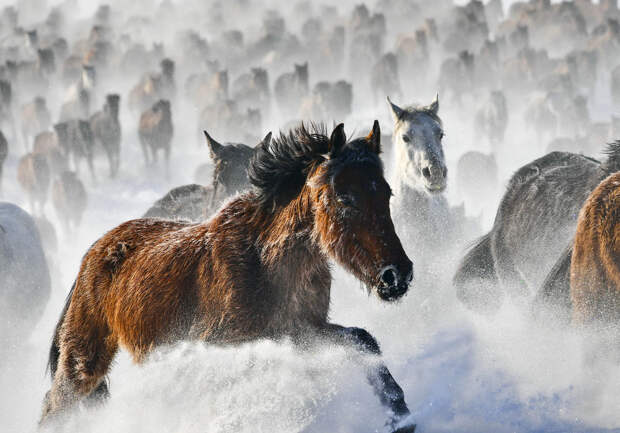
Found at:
(84, 361)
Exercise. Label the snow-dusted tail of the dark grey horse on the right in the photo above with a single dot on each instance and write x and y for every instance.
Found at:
(475, 280)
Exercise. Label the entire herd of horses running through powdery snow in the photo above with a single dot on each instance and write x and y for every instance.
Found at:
(244, 253)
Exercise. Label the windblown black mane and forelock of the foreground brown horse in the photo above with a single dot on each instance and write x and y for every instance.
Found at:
(278, 170)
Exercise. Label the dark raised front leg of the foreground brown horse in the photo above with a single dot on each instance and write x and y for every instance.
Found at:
(384, 385)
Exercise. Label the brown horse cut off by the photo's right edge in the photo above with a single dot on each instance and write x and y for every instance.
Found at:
(595, 263)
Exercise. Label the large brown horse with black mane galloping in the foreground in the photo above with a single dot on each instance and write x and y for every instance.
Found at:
(257, 269)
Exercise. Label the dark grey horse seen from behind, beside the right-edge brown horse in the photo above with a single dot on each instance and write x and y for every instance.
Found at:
(526, 250)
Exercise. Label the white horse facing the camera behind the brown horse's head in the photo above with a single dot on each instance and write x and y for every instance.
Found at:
(424, 220)
